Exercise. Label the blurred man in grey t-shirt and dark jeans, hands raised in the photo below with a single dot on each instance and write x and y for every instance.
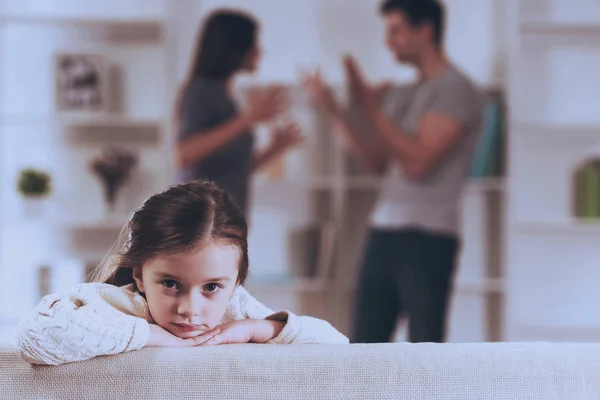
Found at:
(425, 135)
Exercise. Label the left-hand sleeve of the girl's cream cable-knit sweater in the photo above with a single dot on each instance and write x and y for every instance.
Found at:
(75, 326)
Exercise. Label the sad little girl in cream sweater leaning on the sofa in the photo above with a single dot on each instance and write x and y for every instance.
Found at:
(177, 281)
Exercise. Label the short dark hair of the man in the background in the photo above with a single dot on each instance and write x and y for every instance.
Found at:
(420, 12)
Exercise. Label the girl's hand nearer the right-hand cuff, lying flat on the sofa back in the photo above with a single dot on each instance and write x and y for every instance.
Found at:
(244, 331)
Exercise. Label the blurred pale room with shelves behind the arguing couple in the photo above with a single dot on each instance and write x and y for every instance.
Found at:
(530, 262)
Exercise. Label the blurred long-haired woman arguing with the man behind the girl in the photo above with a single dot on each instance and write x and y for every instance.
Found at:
(215, 140)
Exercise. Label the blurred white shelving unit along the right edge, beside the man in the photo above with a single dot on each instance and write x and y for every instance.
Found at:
(553, 89)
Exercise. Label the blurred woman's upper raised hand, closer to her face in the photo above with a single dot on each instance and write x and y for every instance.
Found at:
(265, 105)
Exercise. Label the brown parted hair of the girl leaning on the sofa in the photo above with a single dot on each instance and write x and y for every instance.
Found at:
(183, 218)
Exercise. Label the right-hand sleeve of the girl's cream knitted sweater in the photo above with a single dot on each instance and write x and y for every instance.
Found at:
(297, 329)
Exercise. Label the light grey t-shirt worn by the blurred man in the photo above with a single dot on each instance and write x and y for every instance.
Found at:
(433, 203)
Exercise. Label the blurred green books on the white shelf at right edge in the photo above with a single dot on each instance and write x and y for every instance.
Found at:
(586, 191)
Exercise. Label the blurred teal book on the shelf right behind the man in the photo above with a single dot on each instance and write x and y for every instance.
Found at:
(488, 160)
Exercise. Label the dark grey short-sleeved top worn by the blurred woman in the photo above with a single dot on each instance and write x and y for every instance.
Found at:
(206, 105)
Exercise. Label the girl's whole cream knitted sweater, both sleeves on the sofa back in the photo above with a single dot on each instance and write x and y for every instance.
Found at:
(96, 319)
